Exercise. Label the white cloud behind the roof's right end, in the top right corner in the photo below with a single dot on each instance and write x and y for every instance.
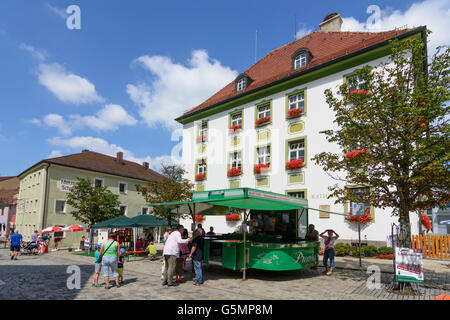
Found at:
(435, 14)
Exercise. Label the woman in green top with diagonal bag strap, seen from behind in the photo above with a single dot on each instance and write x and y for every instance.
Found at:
(110, 254)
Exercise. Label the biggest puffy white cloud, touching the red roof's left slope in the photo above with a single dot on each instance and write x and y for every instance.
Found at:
(175, 87)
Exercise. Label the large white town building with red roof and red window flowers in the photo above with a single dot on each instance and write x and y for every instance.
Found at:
(293, 76)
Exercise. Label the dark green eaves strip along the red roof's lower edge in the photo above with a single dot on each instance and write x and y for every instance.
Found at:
(361, 51)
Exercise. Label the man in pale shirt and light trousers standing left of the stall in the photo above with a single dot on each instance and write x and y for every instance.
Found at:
(170, 254)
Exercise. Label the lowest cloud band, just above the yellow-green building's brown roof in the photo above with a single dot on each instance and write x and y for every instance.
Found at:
(102, 146)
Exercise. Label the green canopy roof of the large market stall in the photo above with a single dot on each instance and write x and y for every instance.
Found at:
(241, 198)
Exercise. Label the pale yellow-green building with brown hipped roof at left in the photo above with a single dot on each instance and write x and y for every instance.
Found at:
(44, 188)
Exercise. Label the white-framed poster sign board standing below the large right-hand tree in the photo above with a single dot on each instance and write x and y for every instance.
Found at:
(408, 265)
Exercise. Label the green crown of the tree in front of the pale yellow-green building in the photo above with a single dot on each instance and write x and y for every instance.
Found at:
(92, 204)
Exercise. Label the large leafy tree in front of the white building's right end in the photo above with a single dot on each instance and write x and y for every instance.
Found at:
(393, 133)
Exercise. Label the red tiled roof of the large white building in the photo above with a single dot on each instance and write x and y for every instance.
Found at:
(324, 46)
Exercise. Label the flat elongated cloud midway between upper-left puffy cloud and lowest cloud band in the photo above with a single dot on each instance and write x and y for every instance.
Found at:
(109, 118)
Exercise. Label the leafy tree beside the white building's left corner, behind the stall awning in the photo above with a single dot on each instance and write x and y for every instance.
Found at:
(173, 188)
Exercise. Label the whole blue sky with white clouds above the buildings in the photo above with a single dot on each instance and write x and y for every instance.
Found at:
(117, 83)
